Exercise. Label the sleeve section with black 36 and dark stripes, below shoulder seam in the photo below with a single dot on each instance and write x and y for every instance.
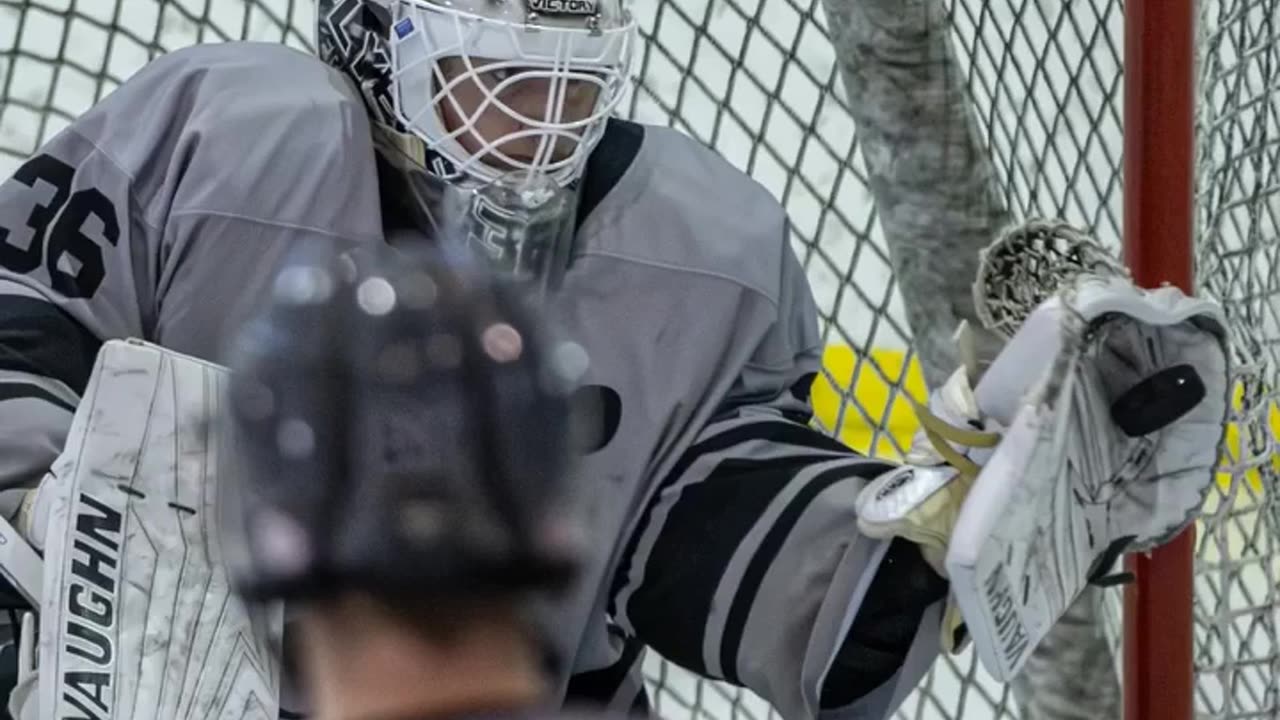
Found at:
(63, 218)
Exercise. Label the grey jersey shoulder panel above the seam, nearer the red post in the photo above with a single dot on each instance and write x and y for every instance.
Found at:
(680, 204)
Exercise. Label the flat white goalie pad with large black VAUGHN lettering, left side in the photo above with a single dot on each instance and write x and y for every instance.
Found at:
(139, 618)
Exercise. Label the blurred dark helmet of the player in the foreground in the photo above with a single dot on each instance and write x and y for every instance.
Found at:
(399, 426)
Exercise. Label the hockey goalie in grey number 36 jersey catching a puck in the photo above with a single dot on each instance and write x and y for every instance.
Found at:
(821, 580)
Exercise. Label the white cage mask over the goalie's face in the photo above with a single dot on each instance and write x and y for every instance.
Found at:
(501, 86)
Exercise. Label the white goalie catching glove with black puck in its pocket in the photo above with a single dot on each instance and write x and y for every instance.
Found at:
(1094, 434)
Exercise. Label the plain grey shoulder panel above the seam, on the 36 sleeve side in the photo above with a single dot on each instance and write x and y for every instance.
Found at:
(237, 126)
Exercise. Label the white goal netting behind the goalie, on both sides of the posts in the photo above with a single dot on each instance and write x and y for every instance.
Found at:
(761, 81)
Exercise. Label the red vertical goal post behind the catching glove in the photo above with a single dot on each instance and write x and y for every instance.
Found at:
(1159, 238)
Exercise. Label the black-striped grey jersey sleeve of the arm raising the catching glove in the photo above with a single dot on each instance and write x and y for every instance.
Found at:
(748, 567)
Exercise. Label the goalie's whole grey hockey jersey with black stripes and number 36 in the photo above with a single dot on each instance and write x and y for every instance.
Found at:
(728, 536)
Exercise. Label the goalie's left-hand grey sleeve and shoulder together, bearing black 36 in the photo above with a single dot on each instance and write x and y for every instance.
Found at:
(162, 215)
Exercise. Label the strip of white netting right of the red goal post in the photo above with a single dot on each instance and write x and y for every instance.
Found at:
(1238, 262)
